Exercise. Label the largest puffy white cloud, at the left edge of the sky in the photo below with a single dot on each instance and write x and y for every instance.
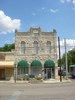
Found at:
(7, 25)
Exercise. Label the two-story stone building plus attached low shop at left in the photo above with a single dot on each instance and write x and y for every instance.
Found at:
(35, 55)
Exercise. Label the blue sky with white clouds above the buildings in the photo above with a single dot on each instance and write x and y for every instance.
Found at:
(47, 14)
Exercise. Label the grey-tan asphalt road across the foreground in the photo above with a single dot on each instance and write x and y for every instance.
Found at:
(55, 91)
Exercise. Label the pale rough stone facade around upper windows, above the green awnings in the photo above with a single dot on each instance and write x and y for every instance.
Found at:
(36, 34)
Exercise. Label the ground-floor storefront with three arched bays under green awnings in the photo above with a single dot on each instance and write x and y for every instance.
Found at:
(35, 69)
